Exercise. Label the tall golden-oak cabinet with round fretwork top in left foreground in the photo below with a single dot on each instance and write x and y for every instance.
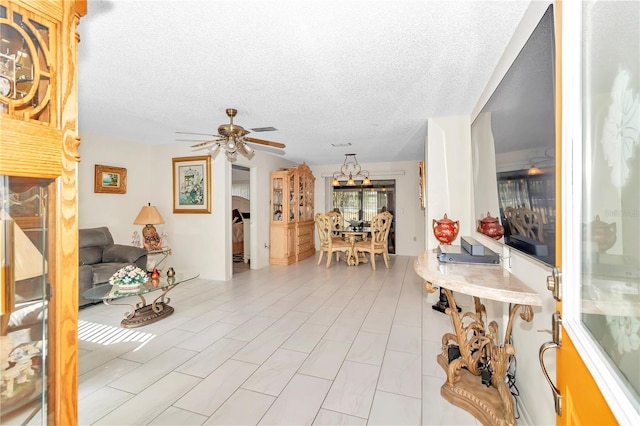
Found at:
(38, 210)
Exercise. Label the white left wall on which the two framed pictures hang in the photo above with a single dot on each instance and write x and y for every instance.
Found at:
(200, 242)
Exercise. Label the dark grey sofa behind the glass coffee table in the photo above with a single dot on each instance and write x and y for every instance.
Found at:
(100, 258)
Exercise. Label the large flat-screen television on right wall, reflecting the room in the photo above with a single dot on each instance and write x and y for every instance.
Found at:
(513, 148)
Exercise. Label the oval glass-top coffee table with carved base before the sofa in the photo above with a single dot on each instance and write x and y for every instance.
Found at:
(142, 313)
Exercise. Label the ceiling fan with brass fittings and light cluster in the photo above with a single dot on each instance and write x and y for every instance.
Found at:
(232, 139)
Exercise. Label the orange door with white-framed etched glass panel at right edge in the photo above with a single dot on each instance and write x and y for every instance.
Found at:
(598, 361)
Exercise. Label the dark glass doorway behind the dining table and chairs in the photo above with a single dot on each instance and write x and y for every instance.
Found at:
(359, 204)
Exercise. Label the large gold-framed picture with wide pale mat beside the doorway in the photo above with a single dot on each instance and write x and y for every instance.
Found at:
(192, 184)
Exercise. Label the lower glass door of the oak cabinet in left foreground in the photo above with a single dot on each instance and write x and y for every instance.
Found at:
(24, 291)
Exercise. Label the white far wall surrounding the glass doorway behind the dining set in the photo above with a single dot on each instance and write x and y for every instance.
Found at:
(409, 215)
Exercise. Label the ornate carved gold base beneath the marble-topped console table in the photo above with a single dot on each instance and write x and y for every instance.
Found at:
(480, 349)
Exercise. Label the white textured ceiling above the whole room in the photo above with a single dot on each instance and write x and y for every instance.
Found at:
(369, 73)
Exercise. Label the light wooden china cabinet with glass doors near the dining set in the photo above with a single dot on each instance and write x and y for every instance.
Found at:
(292, 222)
